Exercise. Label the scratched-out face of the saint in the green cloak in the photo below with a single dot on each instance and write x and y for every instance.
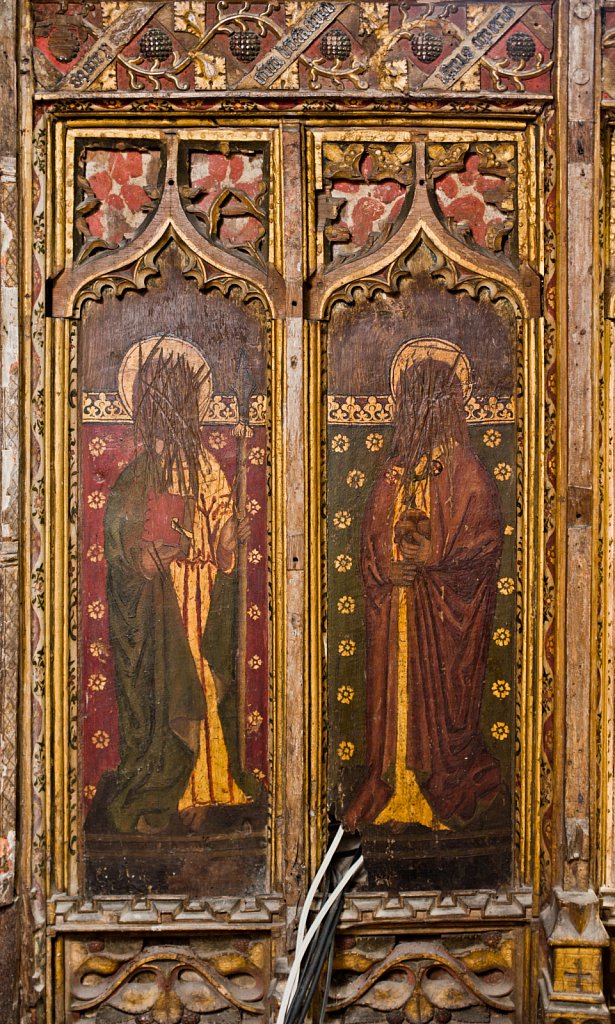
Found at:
(166, 409)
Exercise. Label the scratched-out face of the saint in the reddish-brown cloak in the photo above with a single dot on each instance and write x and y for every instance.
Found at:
(429, 413)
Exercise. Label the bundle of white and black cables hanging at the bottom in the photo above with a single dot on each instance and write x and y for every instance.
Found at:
(316, 947)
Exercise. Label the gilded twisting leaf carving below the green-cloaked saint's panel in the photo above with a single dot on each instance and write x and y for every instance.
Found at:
(167, 985)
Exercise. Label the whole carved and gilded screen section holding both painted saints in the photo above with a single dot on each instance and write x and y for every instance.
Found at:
(293, 482)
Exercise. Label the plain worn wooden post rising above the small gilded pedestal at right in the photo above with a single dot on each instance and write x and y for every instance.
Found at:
(581, 331)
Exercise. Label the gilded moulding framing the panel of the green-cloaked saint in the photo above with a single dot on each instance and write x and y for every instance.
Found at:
(62, 424)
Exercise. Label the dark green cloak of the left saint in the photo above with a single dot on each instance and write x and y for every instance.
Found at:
(160, 698)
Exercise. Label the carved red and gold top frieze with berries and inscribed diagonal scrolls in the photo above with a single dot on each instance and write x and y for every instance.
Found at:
(391, 49)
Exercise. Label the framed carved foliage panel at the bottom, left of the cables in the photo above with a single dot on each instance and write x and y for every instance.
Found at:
(166, 979)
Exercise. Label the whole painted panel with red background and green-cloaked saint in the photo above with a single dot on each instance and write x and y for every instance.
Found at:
(174, 615)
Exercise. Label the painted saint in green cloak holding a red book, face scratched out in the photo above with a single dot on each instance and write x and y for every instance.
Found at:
(170, 533)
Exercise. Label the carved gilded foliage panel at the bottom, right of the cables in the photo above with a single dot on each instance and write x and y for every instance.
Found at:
(425, 982)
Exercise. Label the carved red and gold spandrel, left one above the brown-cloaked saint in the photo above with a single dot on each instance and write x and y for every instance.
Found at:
(368, 189)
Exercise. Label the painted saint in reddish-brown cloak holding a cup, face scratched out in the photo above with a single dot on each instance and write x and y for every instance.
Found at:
(430, 557)
